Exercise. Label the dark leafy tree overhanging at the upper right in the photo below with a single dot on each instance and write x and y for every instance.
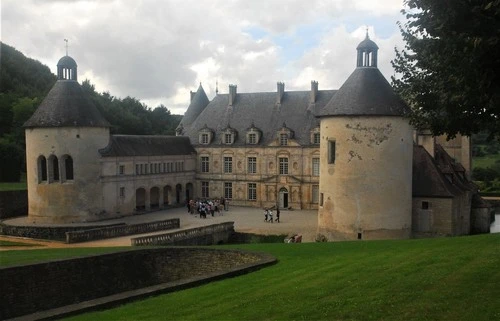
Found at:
(448, 68)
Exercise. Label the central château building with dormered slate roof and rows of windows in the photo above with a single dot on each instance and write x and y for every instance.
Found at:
(257, 149)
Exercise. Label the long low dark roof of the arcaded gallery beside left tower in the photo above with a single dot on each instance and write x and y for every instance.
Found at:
(147, 145)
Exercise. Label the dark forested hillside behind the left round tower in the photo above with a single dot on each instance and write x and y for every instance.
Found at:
(24, 82)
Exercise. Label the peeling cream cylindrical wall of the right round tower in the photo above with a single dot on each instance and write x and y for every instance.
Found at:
(367, 191)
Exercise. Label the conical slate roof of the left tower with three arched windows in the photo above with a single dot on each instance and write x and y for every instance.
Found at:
(66, 105)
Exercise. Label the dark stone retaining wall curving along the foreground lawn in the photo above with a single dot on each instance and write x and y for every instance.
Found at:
(33, 288)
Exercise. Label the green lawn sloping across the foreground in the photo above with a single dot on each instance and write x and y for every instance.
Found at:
(429, 279)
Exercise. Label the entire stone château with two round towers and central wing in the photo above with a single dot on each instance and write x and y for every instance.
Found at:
(350, 153)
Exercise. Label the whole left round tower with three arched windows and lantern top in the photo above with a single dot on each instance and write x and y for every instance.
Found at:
(63, 138)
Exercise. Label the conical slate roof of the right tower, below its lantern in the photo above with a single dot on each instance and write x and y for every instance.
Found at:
(365, 93)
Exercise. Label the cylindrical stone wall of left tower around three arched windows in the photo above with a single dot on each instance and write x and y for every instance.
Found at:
(76, 200)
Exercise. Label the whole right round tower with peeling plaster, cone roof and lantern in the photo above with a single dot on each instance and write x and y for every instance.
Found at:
(366, 157)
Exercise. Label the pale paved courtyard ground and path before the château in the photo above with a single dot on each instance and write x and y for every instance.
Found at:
(246, 219)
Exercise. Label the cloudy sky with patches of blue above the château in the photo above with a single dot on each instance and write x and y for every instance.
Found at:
(159, 50)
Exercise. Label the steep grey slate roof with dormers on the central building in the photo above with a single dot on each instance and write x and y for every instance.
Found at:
(262, 110)
